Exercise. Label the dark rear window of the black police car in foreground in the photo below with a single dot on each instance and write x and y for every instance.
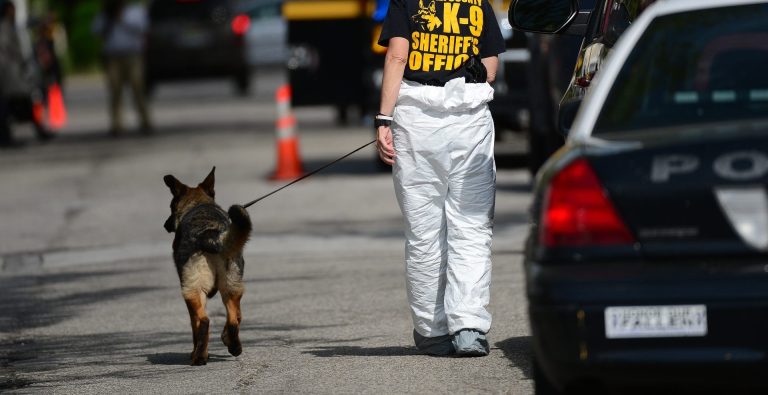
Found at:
(692, 68)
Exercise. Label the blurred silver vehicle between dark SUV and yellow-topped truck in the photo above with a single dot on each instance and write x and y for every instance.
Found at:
(266, 39)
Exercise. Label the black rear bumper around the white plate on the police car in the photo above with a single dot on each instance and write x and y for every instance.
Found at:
(567, 314)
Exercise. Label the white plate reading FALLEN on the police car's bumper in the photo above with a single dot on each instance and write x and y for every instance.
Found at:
(628, 322)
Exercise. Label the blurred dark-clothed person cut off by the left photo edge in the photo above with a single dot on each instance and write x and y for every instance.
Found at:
(12, 81)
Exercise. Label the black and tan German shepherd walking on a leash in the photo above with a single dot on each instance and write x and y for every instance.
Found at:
(208, 252)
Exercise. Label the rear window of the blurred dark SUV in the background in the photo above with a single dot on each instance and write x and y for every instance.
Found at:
(189, 9)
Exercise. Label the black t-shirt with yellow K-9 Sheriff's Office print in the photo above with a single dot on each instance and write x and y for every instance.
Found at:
(442, 35)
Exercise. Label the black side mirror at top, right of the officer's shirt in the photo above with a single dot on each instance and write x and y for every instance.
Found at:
(542, 16)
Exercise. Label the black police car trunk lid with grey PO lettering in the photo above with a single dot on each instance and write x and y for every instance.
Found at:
(693, 197)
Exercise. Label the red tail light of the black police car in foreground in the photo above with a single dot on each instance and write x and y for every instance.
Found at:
(577, 212)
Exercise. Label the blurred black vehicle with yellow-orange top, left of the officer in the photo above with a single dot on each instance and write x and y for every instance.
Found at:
(321, 70)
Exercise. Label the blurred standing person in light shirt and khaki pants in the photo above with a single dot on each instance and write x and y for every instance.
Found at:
(122, 28)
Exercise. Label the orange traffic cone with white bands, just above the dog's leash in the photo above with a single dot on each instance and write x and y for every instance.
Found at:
(288, 160)
